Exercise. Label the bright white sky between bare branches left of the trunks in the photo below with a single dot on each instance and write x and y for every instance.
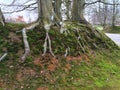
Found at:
(27, 15)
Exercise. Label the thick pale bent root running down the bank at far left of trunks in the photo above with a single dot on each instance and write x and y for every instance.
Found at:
(26, 45)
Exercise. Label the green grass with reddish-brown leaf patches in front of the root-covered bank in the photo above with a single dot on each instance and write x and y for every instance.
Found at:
(101, 71)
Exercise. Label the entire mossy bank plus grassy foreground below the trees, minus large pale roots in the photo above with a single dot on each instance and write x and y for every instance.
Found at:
(90, 68)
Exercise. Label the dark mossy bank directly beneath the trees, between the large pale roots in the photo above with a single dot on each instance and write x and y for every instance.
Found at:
(76, 39)
